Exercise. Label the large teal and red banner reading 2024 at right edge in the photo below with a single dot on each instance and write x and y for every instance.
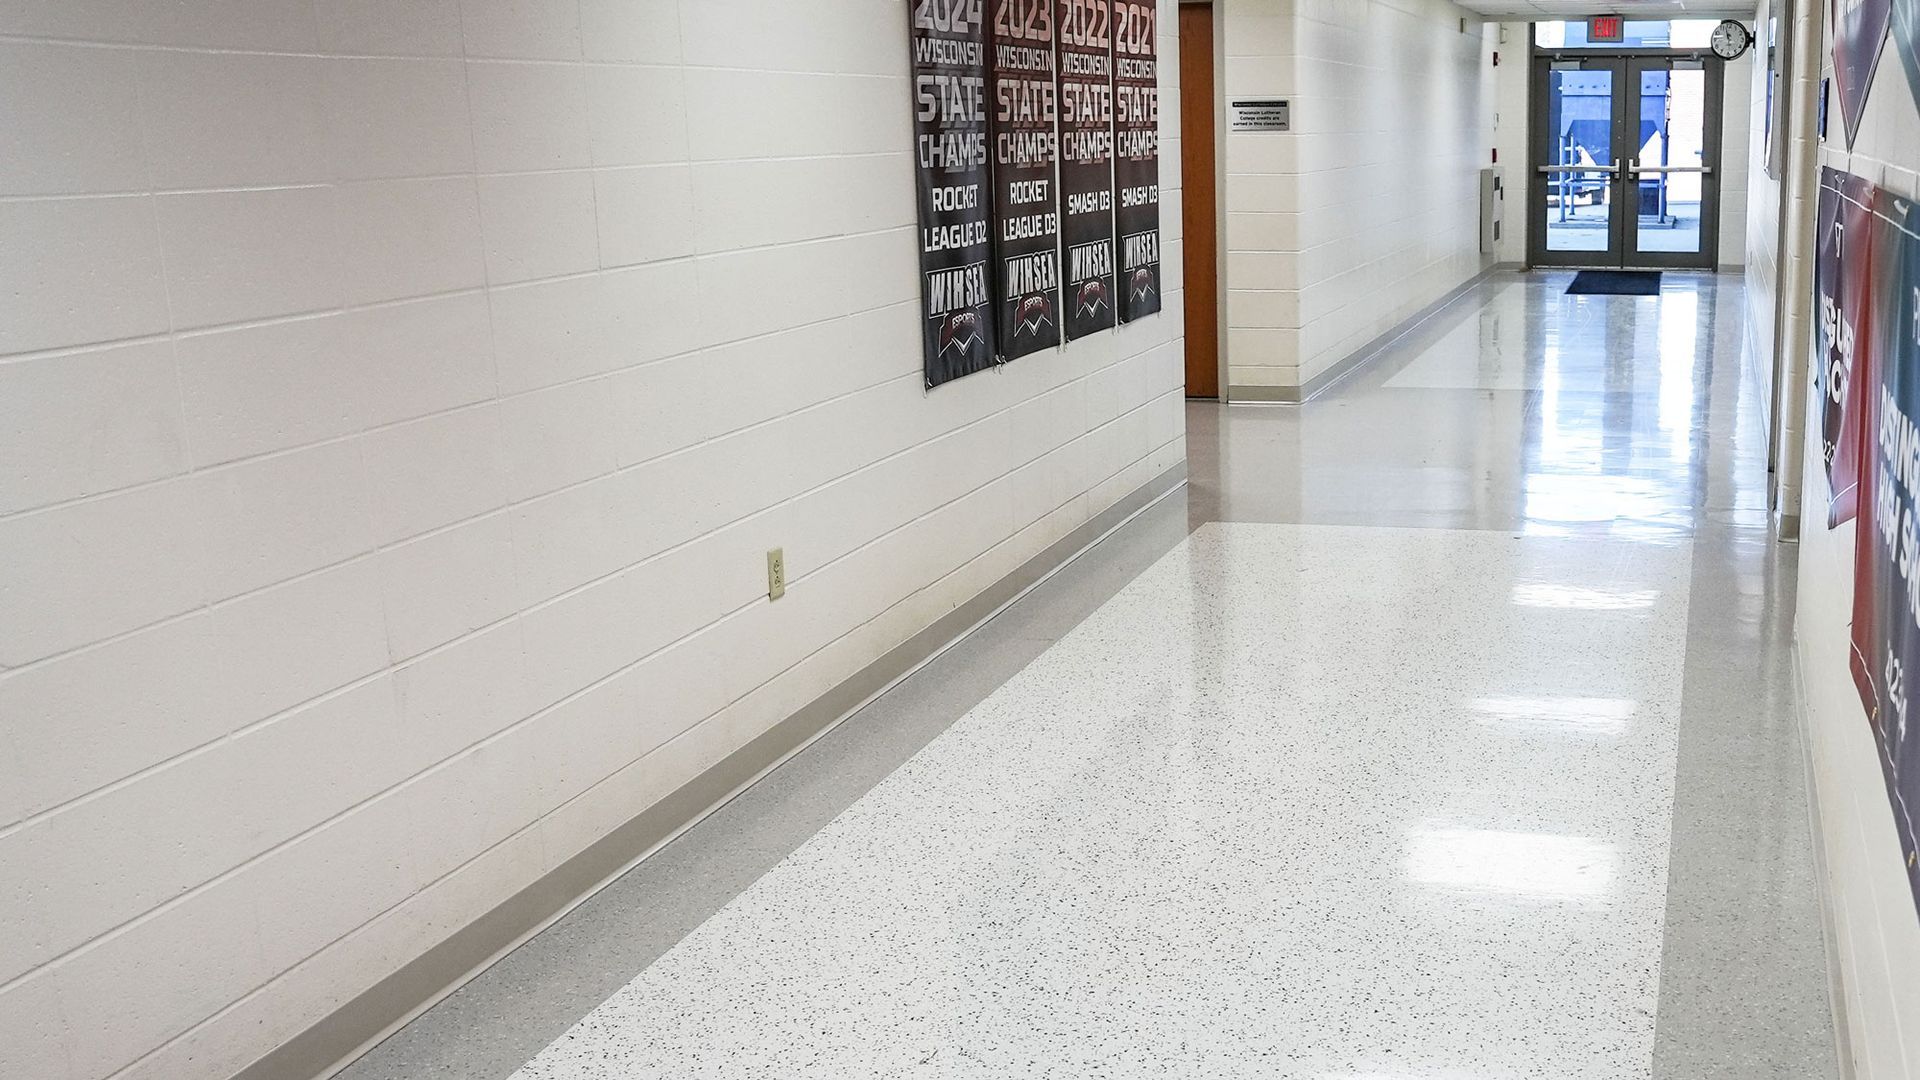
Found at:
(1886, 551)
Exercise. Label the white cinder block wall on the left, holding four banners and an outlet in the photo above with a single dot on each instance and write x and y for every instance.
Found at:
(396, 405)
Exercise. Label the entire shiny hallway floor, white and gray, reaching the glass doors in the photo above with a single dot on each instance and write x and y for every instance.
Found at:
(1439, 729)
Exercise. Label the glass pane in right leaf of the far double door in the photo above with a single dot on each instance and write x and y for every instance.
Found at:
(1673, 135)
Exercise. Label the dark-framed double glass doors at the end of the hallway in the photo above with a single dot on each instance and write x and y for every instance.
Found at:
(1625, 162)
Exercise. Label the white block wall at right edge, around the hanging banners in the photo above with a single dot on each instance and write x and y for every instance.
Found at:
(1875, 921)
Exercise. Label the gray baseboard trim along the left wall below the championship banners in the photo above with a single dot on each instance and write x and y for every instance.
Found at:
(421, 983)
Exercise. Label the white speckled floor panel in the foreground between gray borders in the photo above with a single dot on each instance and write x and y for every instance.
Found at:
(1320, 802)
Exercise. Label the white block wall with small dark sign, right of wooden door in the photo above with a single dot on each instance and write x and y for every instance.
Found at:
(1370, 209)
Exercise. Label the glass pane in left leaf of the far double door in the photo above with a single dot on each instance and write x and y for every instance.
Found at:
(1581, 151)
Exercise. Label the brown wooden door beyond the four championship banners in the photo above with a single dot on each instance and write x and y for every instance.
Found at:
(1199, 201)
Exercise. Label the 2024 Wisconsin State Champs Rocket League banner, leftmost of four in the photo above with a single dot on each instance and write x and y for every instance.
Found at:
(949, 43)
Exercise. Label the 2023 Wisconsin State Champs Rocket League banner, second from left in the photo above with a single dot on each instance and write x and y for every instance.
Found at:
(1024, 151)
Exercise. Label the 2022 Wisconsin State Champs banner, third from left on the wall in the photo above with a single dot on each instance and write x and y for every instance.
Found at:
(1086, 32)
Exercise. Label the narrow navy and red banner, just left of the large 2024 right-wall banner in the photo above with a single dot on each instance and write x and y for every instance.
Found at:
(1844, 295)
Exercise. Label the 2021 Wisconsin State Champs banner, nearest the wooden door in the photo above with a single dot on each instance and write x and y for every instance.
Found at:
(1138, 157)
